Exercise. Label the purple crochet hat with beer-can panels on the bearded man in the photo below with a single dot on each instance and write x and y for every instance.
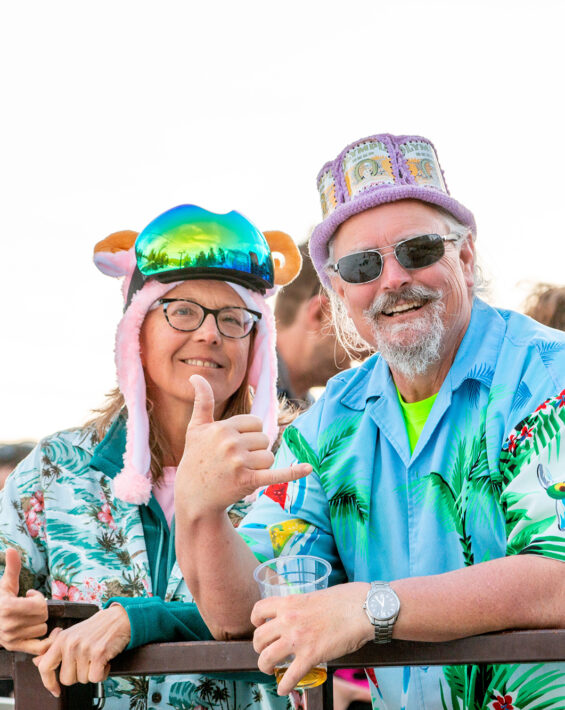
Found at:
(373, 171)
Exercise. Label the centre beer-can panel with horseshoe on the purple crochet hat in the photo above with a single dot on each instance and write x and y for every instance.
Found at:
(366, 165)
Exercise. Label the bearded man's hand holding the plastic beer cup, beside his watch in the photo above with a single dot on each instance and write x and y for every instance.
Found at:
(314, 627)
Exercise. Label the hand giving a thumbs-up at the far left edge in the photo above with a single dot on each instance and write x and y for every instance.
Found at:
(23, 620)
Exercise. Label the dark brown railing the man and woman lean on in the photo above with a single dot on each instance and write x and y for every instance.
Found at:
(215, 656)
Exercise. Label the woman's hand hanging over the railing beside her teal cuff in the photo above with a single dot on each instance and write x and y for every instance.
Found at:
(84, 651)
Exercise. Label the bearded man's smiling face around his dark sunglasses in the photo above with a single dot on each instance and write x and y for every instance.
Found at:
(414, 317)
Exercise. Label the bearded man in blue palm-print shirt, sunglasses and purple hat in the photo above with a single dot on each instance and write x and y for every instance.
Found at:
(406, 491)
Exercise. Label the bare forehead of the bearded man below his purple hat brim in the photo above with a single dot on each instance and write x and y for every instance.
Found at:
(385, 225)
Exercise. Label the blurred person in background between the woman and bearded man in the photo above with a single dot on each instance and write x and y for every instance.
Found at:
(307, 348)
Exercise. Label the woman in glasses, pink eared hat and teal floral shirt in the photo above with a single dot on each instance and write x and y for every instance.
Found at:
(90, 511)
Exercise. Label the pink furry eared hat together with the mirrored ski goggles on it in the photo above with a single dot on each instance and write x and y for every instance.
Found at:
(188, 242)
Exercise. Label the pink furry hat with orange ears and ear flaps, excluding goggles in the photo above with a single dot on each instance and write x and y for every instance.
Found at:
(116, 256)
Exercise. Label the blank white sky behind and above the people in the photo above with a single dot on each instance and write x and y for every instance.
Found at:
(112, 112)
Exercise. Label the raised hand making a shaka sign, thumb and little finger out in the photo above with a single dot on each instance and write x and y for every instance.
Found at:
(225, 460)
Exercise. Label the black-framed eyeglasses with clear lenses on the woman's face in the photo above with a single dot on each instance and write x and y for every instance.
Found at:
(231, 321)
